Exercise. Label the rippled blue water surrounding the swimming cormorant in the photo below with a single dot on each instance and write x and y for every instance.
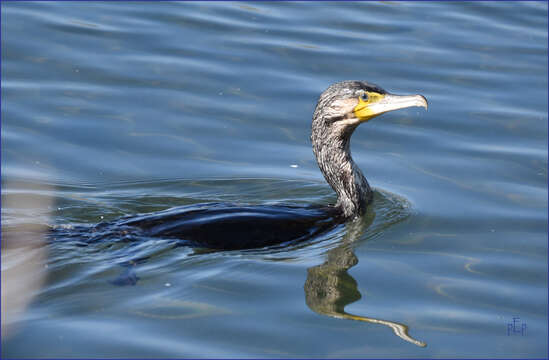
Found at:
(112, 109)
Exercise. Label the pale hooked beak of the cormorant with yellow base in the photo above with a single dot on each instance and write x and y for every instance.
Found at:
(388, 102)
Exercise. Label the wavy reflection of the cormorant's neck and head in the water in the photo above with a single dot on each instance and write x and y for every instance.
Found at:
(329, 287)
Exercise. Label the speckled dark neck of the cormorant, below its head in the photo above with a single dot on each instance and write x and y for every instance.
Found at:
(333, 155)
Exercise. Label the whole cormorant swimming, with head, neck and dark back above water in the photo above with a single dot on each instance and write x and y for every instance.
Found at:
(340, 109)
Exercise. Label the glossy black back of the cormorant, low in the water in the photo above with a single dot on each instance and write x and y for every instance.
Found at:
(235, 227)
